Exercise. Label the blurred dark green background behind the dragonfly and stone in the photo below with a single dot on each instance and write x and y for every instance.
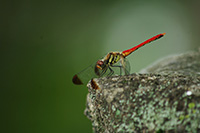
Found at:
(44, 43)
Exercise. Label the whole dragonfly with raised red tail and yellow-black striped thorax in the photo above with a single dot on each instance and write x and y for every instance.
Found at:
(110, 61)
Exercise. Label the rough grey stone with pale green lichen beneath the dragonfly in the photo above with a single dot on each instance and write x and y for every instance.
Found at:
(165, 98)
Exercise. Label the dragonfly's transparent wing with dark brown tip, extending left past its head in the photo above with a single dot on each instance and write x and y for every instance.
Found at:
(85, 75)
